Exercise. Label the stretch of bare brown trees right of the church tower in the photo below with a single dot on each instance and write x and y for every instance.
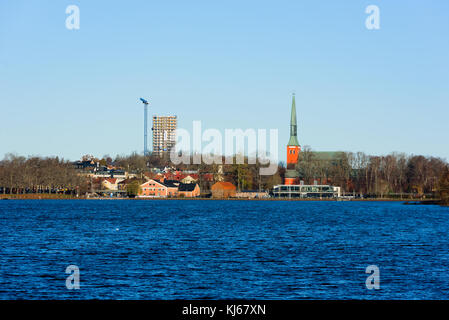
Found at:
(392, 174)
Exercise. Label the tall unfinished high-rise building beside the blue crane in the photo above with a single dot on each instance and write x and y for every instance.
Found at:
(164, 134)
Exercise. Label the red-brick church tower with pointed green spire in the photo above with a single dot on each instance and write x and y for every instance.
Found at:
(293, 149)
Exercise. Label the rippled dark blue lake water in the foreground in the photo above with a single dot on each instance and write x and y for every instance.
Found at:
(189, 249)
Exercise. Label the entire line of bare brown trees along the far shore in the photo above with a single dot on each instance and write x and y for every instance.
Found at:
(395, 174)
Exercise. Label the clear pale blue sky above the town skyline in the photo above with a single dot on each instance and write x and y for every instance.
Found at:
(231, 64)
